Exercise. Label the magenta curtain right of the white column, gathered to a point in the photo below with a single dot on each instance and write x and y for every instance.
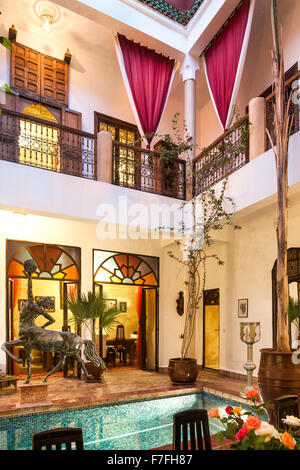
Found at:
(222, 60)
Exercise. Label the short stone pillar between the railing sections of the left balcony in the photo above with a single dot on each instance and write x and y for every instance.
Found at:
(104, 157)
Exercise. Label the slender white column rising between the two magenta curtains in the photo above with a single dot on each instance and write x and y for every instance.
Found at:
(188, 70)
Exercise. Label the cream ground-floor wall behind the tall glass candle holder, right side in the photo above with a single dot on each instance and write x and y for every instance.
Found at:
(249, 257)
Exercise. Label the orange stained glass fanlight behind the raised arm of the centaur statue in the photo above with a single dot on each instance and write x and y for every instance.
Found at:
(53, 261)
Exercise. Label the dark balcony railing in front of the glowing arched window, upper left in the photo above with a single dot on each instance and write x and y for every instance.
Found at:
(43, 144)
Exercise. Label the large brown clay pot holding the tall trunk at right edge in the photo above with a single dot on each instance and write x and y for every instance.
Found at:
(278, 375)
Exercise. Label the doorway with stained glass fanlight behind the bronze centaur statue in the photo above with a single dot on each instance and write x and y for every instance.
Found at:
(58, 273)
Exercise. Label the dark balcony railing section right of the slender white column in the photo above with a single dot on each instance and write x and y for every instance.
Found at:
(224, 156)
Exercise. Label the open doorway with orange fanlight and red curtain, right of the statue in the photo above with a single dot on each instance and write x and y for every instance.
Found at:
(131, 279)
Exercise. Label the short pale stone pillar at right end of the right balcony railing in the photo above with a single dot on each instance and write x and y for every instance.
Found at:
(257, 122)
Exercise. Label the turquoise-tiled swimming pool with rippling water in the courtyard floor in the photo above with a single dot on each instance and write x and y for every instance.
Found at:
(134, 425)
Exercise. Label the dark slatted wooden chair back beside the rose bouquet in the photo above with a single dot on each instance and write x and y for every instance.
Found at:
(195, 421)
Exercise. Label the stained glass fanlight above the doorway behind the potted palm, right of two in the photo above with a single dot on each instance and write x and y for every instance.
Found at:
(122, 268)
